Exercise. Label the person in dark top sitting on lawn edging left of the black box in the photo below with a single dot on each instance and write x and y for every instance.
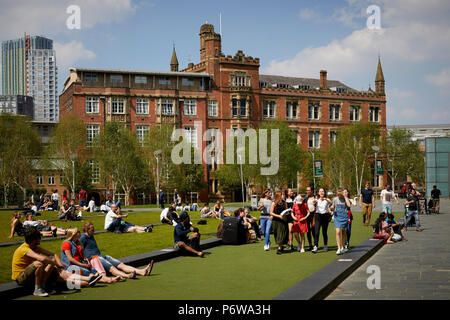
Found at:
(191, 244)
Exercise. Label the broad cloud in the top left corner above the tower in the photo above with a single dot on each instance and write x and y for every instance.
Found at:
(49, 17)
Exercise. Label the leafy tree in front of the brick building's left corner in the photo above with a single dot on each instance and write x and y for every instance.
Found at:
(67, 152)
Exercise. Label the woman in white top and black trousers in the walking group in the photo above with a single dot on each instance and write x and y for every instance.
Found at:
(322, 218)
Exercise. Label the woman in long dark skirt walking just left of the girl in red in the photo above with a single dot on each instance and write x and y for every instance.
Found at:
(279, 223)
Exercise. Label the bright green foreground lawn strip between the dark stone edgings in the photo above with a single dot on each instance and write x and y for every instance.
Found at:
(228, 272)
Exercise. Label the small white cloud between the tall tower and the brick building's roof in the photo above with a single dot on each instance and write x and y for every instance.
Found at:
(68, 53)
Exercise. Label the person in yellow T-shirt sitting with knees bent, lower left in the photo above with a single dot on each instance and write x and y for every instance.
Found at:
(35, 266)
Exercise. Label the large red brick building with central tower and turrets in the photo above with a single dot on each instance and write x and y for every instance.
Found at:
(222, 92)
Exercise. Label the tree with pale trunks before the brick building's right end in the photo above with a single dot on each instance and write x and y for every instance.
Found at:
(349, 155)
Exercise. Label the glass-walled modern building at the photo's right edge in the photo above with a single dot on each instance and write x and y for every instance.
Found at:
(437, 164)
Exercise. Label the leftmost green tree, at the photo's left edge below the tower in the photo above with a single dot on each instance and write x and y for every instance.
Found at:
(19, 146)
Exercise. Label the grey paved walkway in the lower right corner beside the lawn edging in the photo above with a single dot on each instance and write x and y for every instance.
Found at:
(416, 269)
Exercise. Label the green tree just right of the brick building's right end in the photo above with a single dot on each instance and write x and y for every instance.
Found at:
(403, 156)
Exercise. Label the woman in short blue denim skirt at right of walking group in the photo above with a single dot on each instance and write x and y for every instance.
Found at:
(340, 202)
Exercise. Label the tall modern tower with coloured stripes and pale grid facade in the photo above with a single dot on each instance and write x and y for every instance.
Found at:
(29, 68)
